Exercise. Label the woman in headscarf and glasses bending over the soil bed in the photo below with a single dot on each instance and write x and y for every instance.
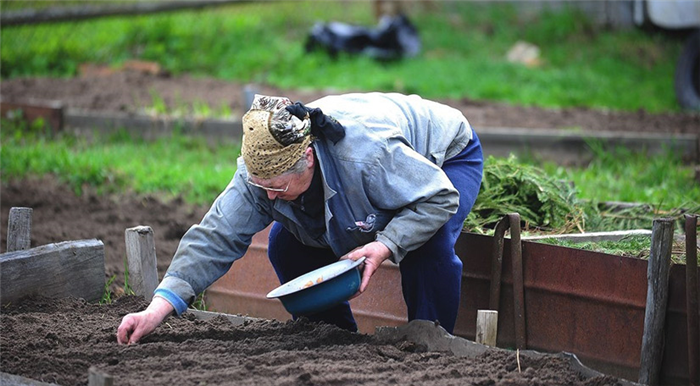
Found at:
(384, 176)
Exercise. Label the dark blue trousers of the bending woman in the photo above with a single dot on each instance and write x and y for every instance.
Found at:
(431, 276)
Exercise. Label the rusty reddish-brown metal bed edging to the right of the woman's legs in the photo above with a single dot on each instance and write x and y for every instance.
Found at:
(588, 303)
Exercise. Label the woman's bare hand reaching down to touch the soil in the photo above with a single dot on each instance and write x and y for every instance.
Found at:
(137, 325)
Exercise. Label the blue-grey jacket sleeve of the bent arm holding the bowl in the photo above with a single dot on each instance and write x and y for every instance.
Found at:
(403, 180)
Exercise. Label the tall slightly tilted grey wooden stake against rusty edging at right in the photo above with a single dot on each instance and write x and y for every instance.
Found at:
(657, 299)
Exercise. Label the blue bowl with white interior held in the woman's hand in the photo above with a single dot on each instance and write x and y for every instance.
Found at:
(320, 289)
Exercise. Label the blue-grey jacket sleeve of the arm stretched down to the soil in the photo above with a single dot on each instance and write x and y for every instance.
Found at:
(208, 249)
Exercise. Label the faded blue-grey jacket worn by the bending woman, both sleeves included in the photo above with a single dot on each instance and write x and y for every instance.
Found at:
(381, 182)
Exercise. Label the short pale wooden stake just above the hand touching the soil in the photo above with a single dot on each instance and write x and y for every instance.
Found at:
(142, 261)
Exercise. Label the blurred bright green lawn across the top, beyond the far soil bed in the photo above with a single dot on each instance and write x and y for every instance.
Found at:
(463, 56)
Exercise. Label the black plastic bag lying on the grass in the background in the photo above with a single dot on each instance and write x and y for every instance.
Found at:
(394, 37)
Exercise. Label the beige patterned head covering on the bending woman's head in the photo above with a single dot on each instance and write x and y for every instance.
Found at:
(273, 139)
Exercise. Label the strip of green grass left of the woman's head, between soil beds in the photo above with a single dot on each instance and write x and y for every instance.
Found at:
(173, 166)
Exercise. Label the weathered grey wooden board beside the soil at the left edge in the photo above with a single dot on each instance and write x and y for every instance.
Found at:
(69, 268)
